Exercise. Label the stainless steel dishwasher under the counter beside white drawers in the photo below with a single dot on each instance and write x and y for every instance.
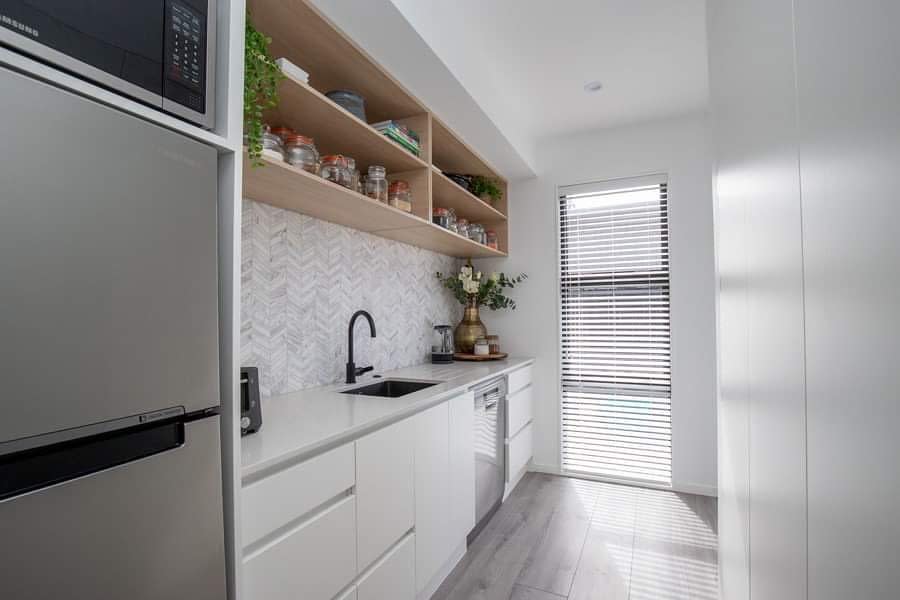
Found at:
(490, 453)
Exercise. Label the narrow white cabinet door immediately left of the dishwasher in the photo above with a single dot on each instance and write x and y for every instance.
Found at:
(462, 467)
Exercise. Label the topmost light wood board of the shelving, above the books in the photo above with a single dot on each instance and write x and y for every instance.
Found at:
(303, 35)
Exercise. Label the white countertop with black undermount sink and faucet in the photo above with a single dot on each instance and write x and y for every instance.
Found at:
(302, 424)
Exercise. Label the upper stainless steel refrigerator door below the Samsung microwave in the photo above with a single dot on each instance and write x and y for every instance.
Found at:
(108, 264)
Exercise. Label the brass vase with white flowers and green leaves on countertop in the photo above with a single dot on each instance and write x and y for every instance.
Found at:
(473, 291)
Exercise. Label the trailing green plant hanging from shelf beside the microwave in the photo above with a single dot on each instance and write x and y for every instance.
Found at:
(261, 79)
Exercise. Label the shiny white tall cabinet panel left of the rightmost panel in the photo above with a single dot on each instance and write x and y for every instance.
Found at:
(761, 407)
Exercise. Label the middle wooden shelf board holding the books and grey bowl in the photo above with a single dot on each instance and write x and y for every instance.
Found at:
(336, 131)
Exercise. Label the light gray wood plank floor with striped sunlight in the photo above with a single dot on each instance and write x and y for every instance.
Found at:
(557, 537)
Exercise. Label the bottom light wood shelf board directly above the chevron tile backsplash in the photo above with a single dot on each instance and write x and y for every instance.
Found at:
(280, 184)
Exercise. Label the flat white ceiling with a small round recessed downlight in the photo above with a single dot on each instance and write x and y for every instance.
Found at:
(525, 62)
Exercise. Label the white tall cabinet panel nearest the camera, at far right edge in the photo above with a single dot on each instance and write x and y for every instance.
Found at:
(849, 96)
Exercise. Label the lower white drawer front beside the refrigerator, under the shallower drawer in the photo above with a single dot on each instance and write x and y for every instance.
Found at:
(315, 561)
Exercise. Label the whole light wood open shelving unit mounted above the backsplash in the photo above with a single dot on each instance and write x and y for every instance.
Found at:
(307, 38)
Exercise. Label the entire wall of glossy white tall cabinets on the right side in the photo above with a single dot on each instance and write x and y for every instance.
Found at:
(804, 103)
